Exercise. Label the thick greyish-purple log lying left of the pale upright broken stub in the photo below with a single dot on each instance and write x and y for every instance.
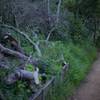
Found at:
(18, 74)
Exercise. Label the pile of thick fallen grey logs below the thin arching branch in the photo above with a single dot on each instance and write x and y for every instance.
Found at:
(16, 53)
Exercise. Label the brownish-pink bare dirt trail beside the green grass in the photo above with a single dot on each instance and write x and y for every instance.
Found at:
(90, 88)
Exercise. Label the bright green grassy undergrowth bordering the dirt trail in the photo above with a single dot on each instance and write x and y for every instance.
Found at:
(79, 56)
